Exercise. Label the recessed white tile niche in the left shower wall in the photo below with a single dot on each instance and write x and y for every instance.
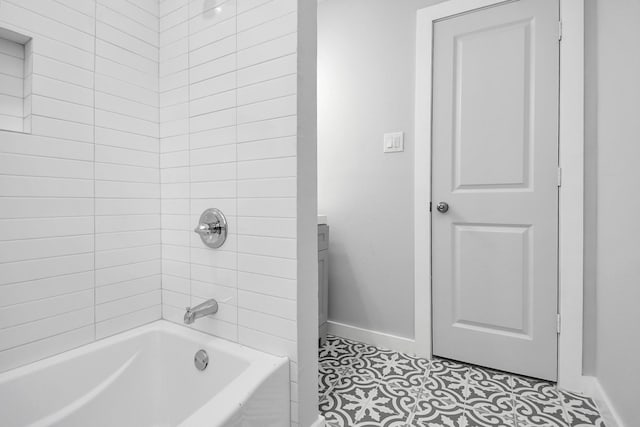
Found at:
(15, 81)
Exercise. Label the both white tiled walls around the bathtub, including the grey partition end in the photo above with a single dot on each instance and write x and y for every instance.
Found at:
(145, 113)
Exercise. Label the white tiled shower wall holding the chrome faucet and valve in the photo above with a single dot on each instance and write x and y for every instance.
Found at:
(228, 135)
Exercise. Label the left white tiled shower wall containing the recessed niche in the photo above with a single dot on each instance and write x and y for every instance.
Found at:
(80, 195)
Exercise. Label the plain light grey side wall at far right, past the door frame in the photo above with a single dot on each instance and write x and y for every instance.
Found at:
(615, 90)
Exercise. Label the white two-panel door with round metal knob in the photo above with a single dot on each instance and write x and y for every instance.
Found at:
(495, 167)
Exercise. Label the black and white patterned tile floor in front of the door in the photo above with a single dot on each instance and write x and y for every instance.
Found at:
(361, 385)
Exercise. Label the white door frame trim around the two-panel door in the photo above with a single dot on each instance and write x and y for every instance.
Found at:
(571, 194)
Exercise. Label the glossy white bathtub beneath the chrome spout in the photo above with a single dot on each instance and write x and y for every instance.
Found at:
(146, 377)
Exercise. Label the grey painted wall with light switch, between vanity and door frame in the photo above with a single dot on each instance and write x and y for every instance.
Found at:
(365, 88)
